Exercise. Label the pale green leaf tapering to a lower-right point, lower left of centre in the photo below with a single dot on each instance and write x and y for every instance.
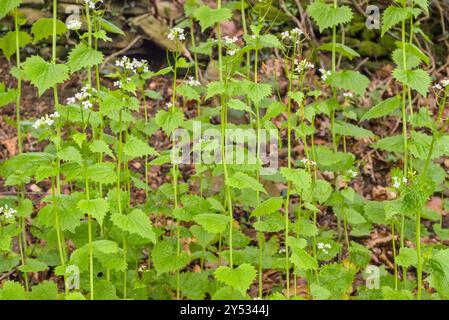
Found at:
(137, 222)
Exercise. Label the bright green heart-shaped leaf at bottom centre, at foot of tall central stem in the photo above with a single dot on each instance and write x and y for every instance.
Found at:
(239, 278)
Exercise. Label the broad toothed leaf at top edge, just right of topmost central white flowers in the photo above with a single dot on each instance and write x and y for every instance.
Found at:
(326, 16)
